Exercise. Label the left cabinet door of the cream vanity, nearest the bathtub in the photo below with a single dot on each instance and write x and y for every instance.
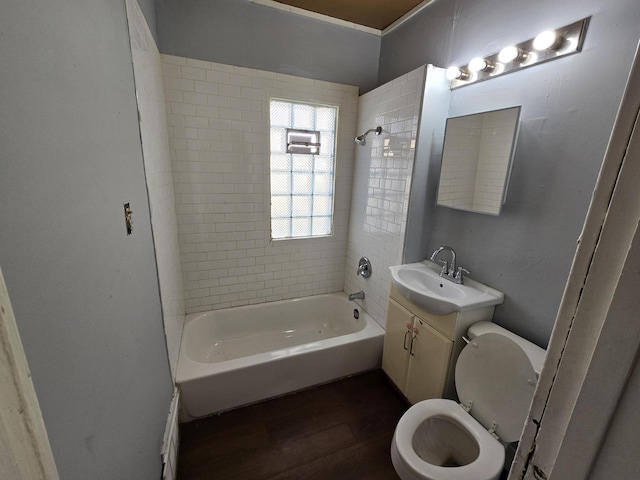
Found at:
(395, 358)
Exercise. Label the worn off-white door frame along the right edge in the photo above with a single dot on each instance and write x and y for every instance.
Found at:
(596, 337)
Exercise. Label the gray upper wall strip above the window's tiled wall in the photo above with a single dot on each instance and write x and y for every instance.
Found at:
(241, 33)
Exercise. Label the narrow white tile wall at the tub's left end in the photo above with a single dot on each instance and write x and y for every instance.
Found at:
(157, 166)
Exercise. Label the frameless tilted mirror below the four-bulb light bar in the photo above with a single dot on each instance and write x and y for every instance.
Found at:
(476, 160)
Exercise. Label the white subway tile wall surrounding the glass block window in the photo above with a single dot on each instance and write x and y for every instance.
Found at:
(218, 123)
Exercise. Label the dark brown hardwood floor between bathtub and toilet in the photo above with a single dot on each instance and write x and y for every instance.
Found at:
(341, 430)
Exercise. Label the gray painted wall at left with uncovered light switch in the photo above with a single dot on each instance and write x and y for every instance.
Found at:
(85, 295)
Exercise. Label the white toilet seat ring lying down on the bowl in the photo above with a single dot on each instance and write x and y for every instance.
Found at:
(487, 465)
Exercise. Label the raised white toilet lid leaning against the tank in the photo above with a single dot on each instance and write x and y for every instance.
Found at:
(496, 375)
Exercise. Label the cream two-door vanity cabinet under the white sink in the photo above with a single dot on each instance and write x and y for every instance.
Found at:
(420, 349)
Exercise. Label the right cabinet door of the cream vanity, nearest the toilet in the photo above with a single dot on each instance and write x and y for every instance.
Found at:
(429, 360)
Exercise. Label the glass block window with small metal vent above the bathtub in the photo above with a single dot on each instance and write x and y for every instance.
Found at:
(302, 169)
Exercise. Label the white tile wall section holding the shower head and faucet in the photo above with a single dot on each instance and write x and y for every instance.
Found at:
(382, 181)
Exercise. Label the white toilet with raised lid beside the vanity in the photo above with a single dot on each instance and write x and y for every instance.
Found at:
(439, 439)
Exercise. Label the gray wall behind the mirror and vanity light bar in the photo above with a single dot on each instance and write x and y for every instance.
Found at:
(568, 109)
